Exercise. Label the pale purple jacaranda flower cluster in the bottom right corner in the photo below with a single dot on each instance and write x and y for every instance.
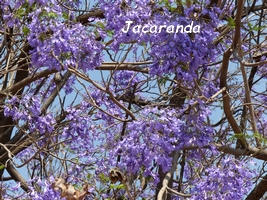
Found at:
(230, 179)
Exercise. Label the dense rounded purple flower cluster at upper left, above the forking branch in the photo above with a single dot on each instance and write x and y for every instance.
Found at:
(58, 45)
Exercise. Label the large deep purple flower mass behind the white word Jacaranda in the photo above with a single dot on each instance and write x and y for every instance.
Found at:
(170, 52)
